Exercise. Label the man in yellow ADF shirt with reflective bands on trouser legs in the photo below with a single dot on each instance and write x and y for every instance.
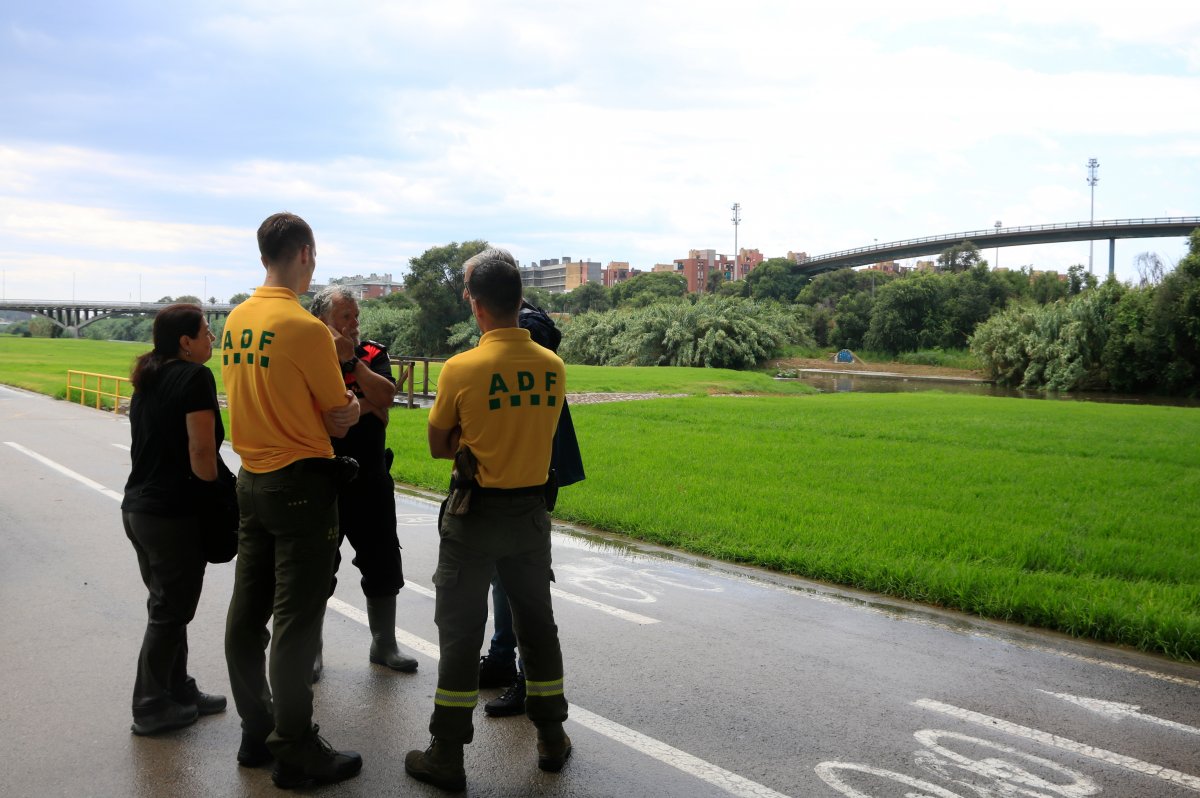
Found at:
(501, 401)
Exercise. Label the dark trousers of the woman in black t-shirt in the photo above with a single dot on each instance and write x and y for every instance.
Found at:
(172, 563)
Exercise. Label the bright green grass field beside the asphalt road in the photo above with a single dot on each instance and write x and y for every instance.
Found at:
(1081, 518)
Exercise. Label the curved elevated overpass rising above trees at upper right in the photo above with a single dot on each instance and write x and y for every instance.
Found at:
(1007, 237)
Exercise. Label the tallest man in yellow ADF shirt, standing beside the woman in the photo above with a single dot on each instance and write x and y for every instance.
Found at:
(286, 399)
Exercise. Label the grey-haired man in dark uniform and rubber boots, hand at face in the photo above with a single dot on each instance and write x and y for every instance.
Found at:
(367, 508)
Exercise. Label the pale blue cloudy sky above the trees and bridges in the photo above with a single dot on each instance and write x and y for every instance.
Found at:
(143, 143)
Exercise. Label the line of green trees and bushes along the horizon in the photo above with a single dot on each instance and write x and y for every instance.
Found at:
(1025, 328)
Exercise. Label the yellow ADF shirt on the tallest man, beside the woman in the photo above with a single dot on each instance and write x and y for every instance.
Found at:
(281, 373)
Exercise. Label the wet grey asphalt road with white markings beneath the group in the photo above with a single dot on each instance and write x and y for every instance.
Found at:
(686, 677)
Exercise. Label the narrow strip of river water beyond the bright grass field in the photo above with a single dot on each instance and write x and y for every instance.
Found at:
(830, 383)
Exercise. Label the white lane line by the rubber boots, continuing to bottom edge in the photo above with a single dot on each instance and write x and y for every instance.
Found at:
(682, 761)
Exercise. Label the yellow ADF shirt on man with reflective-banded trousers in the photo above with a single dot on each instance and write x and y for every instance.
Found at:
(506, 394)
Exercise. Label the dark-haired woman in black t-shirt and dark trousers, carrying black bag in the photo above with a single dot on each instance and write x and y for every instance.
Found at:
(177, 433)
